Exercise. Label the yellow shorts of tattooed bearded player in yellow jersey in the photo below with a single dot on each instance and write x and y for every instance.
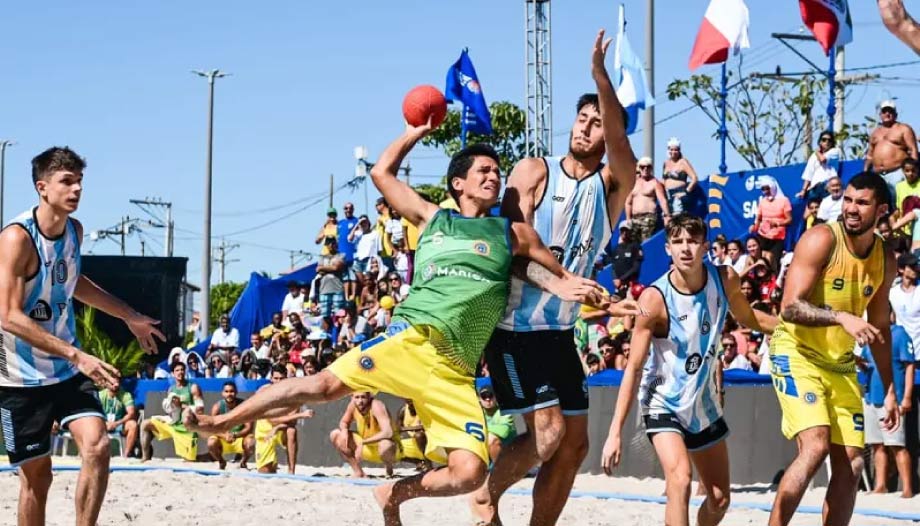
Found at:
(810, 396)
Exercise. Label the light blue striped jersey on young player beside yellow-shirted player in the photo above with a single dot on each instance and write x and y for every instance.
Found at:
(679, 377)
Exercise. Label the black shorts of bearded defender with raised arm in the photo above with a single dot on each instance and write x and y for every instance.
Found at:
(533, 370)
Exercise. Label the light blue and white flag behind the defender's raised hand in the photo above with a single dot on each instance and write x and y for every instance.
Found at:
(629, 77)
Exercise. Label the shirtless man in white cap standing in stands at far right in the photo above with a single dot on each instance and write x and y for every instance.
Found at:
(889, 145)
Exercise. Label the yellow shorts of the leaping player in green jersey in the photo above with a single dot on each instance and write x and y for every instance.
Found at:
(407, 365)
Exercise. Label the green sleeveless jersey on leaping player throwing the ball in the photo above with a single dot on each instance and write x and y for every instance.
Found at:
(460, 284)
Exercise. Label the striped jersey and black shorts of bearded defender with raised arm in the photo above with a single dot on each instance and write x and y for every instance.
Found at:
(532, 356)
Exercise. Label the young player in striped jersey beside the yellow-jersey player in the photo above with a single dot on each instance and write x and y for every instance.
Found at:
(678, 392)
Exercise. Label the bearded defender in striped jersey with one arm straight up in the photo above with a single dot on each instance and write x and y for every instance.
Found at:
(571, 201)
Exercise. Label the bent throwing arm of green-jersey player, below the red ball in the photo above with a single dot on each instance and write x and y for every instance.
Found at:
(398, 194)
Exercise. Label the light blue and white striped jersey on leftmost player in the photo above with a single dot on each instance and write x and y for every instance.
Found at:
(48, 301)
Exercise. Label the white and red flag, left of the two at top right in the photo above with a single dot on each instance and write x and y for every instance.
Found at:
(724, 28)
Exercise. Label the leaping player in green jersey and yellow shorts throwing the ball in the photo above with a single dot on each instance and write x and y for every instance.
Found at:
(431, 349)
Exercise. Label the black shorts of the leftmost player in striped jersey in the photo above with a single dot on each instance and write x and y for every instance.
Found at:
(27, 414)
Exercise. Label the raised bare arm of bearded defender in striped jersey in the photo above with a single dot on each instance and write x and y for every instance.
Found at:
(620, 172)
